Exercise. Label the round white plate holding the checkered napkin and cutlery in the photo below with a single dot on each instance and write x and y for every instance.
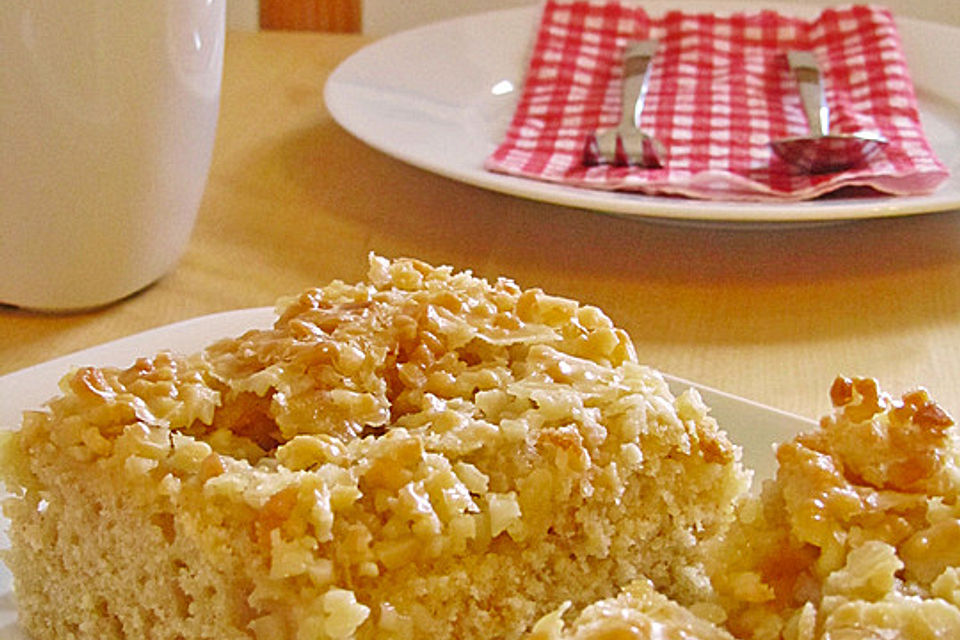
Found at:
(440, 97)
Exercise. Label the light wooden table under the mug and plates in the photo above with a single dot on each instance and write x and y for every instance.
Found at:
(773, 315)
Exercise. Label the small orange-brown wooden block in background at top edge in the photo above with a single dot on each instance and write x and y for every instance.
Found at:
(342, 16)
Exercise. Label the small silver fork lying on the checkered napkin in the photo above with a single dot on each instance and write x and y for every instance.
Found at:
(627, 144)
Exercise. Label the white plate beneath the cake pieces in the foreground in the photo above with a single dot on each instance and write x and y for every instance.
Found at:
(754, 426)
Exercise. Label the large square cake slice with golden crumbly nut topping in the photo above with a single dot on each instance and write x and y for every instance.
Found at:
(423, 454)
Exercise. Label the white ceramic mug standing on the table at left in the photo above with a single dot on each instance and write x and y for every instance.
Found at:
(108, 110)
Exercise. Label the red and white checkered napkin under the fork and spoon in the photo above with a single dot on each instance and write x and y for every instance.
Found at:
(720, 90)
